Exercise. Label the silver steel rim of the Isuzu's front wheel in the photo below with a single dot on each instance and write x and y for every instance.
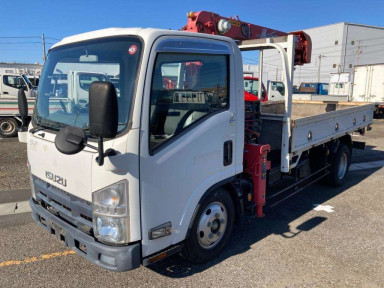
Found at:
(212, 225)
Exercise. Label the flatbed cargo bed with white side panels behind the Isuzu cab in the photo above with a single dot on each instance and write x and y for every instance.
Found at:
(312, 123)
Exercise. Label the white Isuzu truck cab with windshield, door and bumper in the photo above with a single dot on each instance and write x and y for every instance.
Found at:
(158, 126)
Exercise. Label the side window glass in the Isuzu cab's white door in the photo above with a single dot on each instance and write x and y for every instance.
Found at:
(186, 88)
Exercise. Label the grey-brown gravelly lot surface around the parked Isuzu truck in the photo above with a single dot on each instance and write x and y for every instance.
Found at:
(295, 246)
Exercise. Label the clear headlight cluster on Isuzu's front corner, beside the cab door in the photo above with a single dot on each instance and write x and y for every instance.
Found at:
(110, 213)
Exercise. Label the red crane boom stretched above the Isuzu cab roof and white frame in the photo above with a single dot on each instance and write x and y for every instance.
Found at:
(233, 27)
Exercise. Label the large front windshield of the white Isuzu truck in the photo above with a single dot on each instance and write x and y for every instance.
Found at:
(70, 70)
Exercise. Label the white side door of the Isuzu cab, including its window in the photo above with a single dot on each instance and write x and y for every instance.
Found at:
(188, 132)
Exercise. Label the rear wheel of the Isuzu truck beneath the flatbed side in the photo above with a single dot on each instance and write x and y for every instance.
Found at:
(340, 166)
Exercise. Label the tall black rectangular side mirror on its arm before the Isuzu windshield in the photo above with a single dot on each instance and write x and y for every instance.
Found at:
(103, 114)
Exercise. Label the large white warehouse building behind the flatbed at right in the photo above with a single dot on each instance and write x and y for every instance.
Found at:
(335, 48)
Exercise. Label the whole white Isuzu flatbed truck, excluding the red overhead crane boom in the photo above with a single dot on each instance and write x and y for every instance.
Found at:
(137, 176)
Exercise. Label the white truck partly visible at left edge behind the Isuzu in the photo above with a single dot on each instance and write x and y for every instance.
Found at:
(9, 113)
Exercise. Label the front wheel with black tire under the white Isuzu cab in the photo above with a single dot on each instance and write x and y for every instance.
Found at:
(211, 229)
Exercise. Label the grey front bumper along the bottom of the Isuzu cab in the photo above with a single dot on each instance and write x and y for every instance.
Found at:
(114, 258)
